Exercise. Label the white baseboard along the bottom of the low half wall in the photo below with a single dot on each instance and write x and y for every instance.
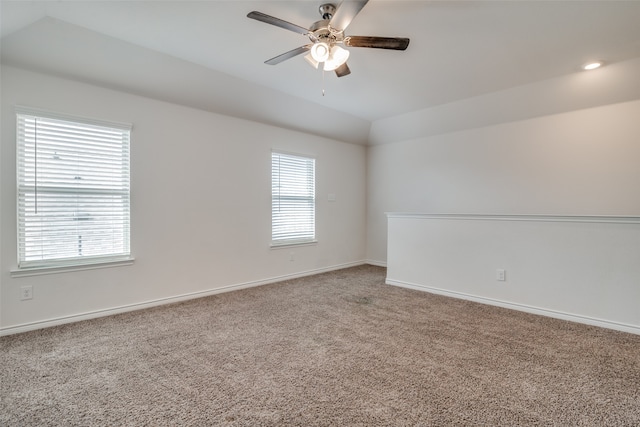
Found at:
(520, 307)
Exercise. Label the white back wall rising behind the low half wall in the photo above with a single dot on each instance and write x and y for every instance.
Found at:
(584, 162)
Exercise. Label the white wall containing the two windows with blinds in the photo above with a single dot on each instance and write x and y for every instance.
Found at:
(200, 204)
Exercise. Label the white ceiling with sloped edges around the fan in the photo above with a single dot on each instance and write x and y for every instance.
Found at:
(458, 50)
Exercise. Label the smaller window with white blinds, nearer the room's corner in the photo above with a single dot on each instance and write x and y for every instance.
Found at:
(293, 203)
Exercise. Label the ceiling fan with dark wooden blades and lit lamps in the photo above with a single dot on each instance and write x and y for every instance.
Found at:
(327, 34)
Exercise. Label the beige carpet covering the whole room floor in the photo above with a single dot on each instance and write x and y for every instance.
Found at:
(337, 349)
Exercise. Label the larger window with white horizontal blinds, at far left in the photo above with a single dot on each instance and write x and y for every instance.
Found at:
(73, 190)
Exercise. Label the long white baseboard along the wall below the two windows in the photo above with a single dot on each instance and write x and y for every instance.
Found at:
(169, 300)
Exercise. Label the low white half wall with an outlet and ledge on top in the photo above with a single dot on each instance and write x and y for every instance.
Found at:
(580, 268)
